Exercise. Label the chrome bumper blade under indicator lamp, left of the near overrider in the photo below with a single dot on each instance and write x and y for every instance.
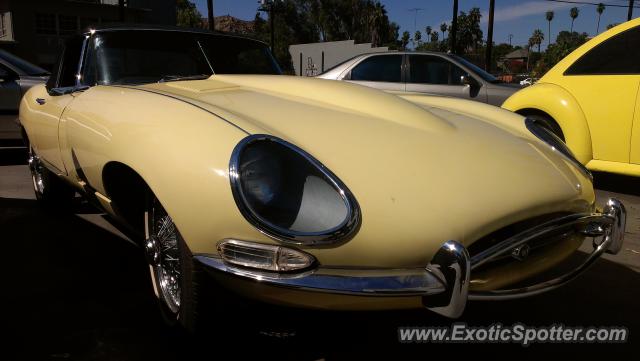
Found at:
(361, 282)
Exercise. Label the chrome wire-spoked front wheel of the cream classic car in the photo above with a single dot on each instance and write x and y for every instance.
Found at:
(164, 257)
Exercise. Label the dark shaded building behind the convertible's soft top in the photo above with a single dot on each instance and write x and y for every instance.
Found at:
(35, 29)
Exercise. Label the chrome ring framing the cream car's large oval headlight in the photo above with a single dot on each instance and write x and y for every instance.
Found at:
(341, 233)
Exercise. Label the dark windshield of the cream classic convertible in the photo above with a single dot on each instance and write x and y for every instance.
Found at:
(146, 56)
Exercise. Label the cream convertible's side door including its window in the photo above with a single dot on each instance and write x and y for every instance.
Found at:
(51, 101)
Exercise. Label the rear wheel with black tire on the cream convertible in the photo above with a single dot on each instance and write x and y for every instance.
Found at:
(50, 190)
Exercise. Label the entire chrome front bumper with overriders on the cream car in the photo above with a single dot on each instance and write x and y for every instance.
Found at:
(444, 282)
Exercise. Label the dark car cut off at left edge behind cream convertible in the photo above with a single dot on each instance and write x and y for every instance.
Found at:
(16, 77)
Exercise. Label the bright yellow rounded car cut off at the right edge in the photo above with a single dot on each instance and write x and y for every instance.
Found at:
(591, 100)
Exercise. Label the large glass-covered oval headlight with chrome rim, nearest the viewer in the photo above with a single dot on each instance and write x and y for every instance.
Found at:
(289, 195)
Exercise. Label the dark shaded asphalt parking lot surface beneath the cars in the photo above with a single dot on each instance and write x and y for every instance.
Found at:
(76, 288)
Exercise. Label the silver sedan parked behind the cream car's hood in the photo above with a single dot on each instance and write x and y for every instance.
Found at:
(423, 72)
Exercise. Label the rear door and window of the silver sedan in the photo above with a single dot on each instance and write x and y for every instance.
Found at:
(380, 71)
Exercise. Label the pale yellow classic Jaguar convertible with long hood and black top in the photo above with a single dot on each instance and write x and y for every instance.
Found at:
(305, 192)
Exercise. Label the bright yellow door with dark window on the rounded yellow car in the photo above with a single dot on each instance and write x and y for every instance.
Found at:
(605, 82)
